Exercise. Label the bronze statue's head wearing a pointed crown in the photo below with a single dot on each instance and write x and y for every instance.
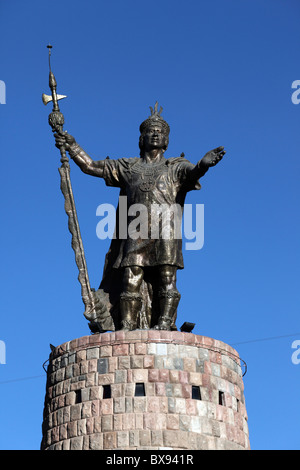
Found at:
(154, 131)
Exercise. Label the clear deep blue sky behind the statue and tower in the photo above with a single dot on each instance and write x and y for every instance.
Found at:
(222, 72)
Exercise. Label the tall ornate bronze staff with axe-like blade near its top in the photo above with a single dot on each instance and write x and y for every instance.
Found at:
(56, 121)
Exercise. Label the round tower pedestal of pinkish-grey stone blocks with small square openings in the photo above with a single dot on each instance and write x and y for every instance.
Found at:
(144, 389)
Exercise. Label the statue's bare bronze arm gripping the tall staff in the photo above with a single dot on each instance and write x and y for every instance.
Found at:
(80, 157)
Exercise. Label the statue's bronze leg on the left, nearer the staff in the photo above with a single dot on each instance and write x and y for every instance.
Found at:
(130, 298)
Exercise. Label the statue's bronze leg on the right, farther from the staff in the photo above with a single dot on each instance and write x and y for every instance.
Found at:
(168, 297)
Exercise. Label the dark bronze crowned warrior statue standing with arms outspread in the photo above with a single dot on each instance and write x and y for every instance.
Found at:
(138, 289)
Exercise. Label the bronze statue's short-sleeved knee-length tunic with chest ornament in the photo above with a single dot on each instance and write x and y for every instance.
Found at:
(159, 188)
